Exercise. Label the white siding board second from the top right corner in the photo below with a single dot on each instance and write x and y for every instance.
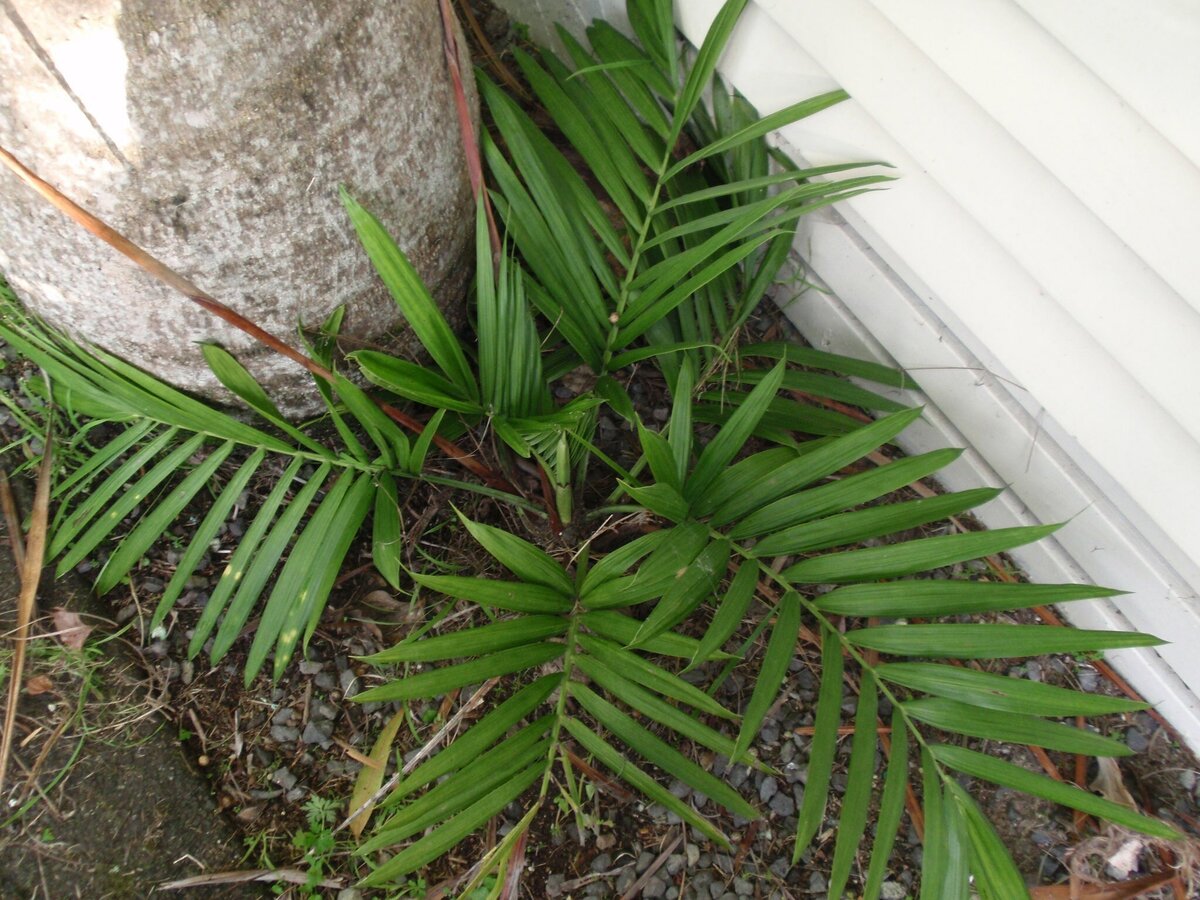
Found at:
(1125, 172)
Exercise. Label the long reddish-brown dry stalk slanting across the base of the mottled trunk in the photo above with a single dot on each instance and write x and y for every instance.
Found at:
(175, 280)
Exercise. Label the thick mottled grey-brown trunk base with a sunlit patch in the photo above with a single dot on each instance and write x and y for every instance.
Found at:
(215, 134)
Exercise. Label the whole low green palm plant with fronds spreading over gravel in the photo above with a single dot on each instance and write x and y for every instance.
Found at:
(657, 255)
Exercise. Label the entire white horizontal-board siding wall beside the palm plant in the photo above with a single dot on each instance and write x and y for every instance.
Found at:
(1037, 266)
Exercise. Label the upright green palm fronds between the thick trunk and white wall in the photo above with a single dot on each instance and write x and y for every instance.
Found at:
(694, 239)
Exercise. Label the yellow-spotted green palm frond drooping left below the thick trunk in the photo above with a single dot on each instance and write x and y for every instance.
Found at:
(130, 493)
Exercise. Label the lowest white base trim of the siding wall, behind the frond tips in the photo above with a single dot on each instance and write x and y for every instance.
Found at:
(841, 266)
